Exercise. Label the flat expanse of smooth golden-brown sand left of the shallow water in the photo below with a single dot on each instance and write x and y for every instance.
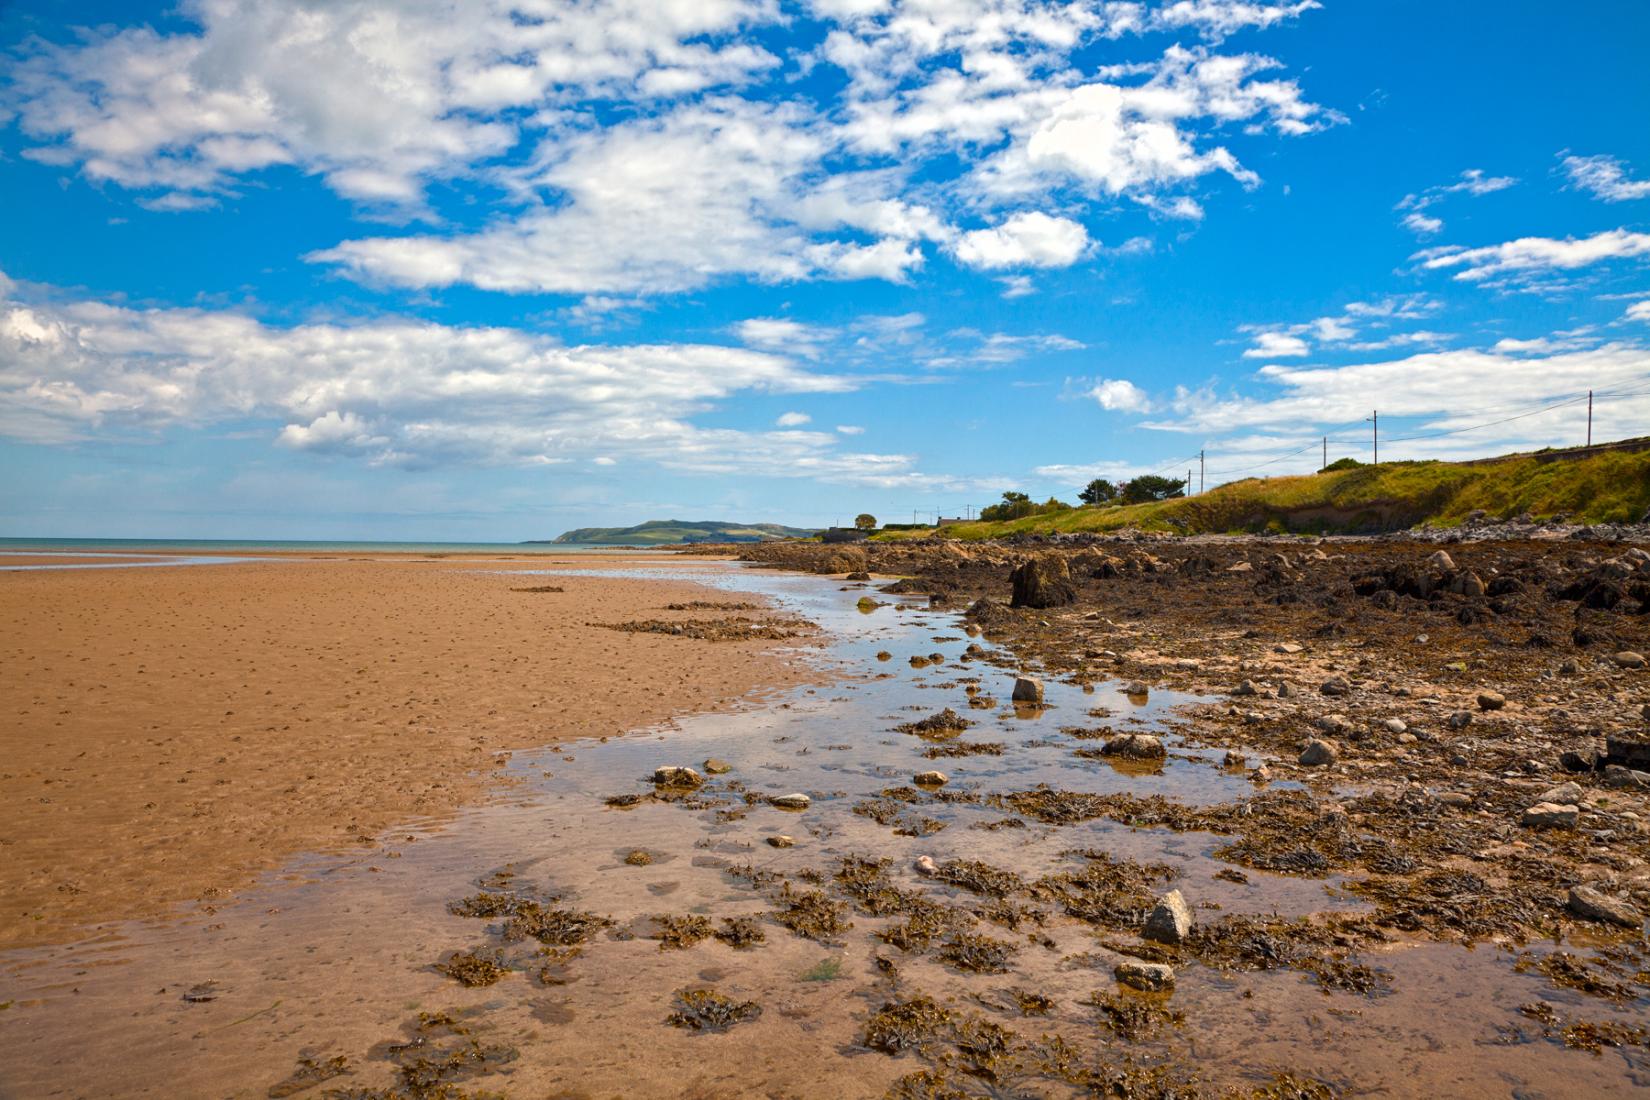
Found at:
(171, 731)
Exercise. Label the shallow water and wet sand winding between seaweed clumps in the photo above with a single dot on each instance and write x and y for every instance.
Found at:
(334, 956)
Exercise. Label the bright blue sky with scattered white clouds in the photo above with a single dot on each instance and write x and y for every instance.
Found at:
(491, 270)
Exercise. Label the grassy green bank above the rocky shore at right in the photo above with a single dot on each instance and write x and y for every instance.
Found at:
(1611, 487)
